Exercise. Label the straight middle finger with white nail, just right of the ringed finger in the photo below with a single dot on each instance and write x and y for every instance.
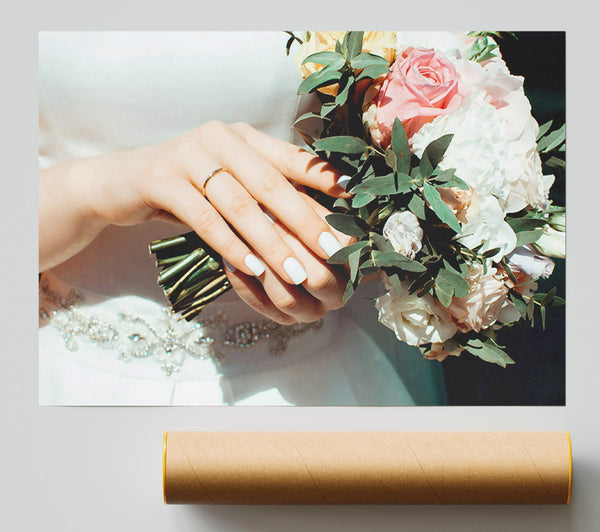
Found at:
(270, 188)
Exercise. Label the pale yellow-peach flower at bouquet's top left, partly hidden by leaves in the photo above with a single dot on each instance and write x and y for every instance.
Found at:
(376, 42)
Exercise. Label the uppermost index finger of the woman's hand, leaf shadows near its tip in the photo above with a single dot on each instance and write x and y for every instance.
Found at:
(295, 163)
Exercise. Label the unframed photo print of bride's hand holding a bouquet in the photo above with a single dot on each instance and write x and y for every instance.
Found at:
(301, 218)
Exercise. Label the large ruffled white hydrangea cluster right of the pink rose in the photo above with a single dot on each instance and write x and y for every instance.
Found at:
(494, 147)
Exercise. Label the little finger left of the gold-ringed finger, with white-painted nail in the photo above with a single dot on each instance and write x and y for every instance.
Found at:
(180, 198)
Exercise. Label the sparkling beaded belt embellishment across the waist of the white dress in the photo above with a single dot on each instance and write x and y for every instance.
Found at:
(167, 340)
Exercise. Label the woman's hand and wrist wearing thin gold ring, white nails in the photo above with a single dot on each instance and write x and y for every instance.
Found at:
(169, 181)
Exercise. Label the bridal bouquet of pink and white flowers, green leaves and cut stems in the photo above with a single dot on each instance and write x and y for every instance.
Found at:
(450, 199)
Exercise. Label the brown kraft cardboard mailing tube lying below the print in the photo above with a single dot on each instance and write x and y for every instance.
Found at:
(367, 467)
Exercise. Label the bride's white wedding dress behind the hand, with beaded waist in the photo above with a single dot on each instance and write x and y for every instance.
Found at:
(105, 335)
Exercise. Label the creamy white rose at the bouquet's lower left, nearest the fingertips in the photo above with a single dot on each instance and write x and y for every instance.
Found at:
(415, 320)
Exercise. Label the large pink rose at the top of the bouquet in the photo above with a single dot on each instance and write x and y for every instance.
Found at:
(421, 85)
